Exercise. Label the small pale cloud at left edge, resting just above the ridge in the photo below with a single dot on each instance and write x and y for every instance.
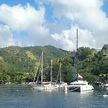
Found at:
(6, 37)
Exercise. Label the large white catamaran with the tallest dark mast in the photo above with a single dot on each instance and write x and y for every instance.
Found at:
(79, 85)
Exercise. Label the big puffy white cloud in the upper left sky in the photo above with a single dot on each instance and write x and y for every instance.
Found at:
(20, 17)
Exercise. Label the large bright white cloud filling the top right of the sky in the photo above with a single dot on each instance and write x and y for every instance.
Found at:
(87, 13)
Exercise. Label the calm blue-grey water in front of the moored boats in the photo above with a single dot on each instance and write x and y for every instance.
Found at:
(26, 97)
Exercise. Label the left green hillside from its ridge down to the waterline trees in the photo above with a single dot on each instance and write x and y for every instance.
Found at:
(17, 61)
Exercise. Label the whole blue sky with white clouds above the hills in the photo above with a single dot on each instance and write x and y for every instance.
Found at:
(54, 22)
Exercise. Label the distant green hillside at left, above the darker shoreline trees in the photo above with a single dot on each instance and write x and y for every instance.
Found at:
(22, 59)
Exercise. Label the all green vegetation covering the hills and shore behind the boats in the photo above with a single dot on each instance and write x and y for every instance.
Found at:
(20, 64)
